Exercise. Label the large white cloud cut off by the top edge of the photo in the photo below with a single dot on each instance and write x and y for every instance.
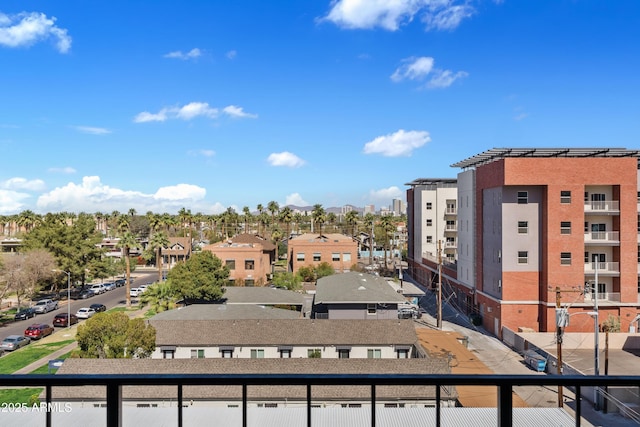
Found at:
(391, 14)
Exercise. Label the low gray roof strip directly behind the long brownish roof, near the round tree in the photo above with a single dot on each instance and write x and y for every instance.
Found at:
(224, 311)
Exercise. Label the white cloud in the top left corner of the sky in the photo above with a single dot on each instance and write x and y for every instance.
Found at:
(27, 28)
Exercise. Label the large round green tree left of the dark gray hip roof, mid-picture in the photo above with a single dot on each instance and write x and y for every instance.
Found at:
(200, 278)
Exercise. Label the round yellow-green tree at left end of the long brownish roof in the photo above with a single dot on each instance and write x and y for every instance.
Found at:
(115, 336)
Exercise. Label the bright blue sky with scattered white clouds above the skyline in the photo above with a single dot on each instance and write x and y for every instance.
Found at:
(160, 105)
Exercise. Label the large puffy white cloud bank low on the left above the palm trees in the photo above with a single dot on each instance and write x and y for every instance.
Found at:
(92, 196)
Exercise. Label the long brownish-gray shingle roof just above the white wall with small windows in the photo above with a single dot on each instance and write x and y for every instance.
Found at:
(269, 332)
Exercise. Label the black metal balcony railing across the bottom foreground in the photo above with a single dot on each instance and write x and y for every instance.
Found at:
(504, 387)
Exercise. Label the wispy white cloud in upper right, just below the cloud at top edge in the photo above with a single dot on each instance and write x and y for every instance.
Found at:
(422, 68)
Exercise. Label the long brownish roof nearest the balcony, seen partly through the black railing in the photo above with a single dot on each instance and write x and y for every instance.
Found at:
(254, 366)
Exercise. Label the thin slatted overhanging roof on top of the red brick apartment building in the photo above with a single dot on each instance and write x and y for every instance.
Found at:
(501, 153)
